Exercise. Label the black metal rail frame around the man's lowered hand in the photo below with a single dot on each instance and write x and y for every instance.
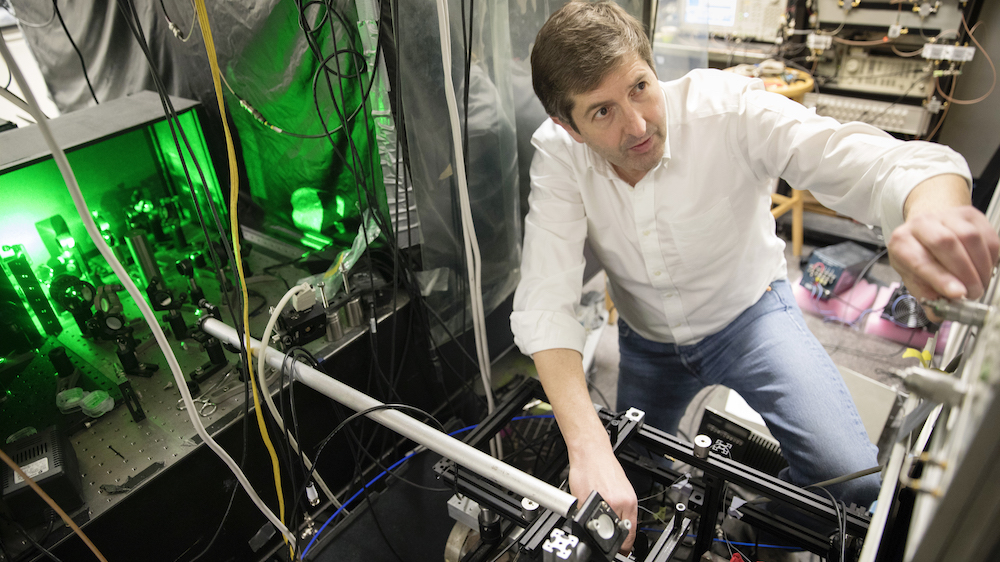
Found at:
(705, 502)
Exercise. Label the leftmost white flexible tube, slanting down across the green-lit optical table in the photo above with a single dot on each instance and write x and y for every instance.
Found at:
(59, 155)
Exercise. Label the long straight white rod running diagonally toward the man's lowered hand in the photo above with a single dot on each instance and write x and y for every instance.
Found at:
(471, 458)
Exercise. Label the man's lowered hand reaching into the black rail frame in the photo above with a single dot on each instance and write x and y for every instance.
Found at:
(602, 472)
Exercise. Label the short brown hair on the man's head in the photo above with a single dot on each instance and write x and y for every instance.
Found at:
(576, 49)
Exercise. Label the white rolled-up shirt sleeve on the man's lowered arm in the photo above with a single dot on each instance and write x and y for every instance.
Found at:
(552, 263)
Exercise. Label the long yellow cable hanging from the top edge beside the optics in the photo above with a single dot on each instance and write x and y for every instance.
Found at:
(234, 189)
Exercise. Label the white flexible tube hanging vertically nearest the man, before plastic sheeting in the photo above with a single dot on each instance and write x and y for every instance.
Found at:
(472, 257)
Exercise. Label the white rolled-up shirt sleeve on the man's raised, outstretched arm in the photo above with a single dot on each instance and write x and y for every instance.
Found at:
(853, 168)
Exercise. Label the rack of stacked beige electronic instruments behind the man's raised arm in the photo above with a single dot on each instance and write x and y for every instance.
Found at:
(881, 62)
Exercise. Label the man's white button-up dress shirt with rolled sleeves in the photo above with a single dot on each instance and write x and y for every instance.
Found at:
(693, 244)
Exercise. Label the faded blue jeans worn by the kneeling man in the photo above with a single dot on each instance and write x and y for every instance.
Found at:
(770, 357)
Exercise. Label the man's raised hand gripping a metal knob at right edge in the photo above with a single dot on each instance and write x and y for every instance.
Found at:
(946, 248)
